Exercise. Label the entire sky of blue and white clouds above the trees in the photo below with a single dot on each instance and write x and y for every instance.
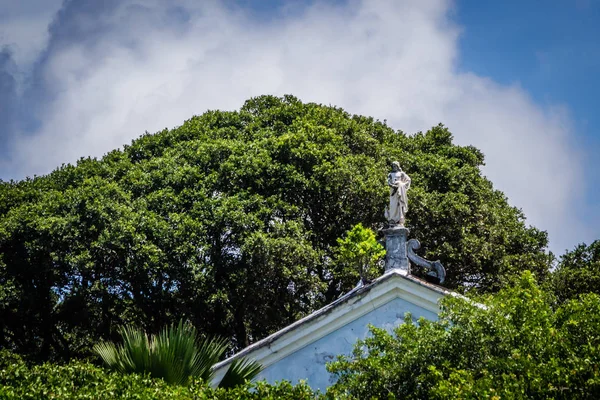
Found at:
(517, 79)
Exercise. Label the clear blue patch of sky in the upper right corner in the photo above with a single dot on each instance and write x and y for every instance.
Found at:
(553, 52)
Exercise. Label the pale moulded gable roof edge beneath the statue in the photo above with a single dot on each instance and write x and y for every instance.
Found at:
(393, 284)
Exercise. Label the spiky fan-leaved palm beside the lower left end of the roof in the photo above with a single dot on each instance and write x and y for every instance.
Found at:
(175, 355)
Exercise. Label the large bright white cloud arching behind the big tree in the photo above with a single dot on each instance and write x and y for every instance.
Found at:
(394, 60)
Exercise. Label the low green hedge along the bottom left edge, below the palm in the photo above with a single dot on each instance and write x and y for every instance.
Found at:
(79, 380)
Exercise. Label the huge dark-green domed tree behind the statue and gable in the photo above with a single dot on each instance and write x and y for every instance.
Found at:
(231, 221)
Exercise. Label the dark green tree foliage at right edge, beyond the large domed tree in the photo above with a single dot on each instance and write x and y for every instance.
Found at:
(577, 272)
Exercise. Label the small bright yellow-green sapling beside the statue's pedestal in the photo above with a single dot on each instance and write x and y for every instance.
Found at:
(358, 254)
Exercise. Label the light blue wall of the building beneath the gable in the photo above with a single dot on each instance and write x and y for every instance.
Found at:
(309, 362)
